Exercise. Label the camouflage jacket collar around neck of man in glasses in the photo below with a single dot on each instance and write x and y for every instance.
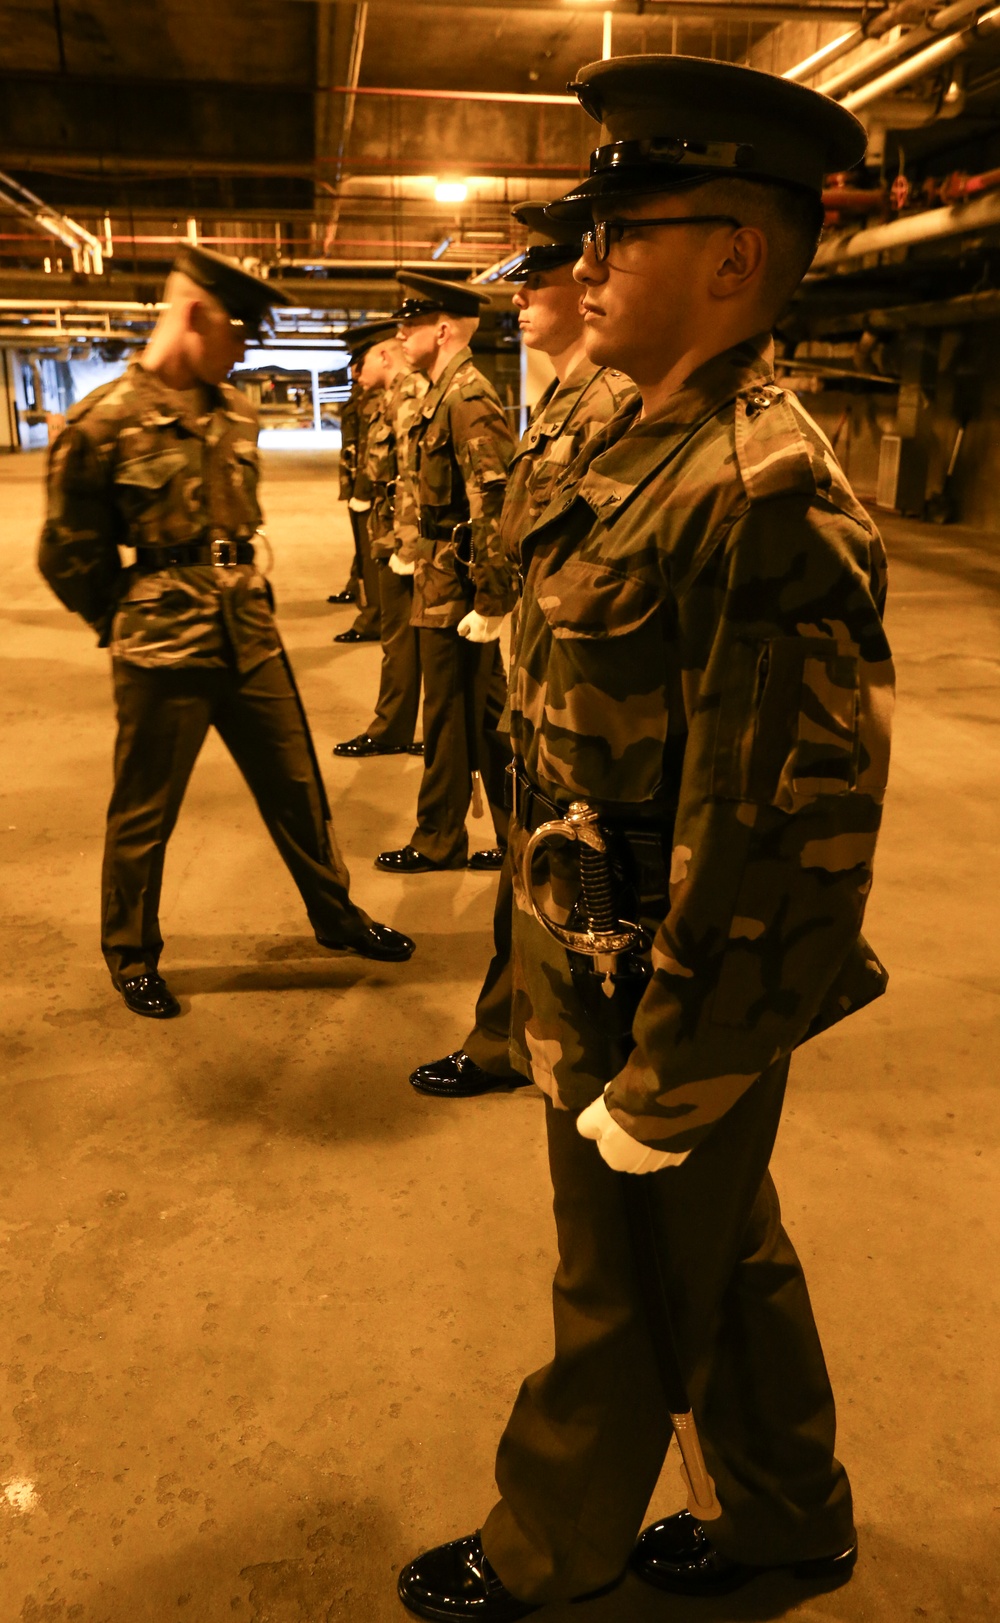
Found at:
(627, 454)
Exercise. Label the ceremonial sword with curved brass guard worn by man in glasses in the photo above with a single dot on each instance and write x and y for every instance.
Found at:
(605, 941)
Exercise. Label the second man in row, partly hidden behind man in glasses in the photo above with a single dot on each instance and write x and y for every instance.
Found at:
(580, 400)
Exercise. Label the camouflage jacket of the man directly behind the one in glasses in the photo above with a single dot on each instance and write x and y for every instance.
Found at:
(564, 420)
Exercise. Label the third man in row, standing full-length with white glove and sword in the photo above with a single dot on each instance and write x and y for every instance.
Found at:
(465, 583)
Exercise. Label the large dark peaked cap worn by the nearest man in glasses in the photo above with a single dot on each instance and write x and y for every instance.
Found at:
(673, 123)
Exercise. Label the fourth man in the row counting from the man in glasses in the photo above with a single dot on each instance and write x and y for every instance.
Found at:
(394, 541)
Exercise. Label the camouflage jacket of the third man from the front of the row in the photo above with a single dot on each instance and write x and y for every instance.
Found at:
(462, 449)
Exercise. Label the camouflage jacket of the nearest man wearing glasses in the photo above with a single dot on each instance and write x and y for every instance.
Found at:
(700, 657)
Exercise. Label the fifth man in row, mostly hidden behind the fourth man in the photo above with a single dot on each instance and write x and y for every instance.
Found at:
(356, 488)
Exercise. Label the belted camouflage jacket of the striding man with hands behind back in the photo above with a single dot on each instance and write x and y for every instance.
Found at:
(134, 468)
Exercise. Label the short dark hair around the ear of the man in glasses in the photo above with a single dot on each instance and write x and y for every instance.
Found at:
(791, 220)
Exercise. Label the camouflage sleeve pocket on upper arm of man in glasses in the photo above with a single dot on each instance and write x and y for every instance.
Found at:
(788, 728)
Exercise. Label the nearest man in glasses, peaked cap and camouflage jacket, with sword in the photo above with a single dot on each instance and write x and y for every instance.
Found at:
(700, 704)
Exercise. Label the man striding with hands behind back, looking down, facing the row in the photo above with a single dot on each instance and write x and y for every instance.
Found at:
(165, 460)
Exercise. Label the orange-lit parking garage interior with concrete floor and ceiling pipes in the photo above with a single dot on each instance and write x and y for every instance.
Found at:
(265, 1307)
